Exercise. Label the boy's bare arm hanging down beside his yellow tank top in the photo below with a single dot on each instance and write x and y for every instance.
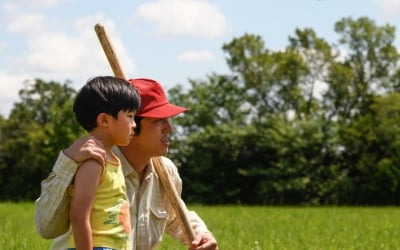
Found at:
(86, 182)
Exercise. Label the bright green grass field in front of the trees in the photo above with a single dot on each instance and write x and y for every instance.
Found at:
(240, 227)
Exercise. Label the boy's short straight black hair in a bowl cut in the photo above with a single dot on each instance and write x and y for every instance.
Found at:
(104, 94)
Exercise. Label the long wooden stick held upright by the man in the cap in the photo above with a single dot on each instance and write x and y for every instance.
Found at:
(169, 188)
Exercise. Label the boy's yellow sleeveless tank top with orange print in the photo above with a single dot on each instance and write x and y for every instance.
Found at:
(109, 218)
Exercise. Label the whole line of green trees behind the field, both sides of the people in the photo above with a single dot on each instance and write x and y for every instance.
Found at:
(314, 123)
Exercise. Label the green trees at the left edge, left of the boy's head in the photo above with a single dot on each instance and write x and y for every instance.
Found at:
(40, 125)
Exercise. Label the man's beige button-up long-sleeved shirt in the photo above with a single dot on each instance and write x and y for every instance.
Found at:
(151, 213)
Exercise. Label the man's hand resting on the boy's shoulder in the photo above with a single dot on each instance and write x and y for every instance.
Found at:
(86, 148)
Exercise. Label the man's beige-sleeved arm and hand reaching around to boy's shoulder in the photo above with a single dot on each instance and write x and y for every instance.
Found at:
(52, 207)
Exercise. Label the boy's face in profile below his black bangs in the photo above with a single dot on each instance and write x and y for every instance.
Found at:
(122, 128)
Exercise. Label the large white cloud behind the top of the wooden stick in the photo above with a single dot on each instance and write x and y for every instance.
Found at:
(60, 56)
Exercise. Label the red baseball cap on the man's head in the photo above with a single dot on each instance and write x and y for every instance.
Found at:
(154, 103)
